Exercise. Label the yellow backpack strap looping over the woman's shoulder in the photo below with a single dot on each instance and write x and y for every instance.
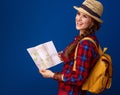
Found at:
(100, 51)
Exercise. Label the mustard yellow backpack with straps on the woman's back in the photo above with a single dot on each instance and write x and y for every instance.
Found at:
(100, 77)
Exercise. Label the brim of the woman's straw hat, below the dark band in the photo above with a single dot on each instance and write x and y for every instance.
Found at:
(84, 11)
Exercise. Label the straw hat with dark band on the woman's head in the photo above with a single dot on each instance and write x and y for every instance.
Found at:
(93, 8)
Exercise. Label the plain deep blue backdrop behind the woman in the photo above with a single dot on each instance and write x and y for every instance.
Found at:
(26, 23)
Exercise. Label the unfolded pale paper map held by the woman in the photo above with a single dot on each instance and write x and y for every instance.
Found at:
(44, 55)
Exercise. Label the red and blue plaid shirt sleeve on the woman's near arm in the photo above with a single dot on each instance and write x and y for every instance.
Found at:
(83, 62)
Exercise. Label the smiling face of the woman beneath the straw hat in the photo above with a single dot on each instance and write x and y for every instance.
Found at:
(83, 21)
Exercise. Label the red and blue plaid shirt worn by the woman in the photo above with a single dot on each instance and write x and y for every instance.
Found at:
(87, 55)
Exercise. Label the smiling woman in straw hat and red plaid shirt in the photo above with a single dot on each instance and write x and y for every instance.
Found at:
(88, 22)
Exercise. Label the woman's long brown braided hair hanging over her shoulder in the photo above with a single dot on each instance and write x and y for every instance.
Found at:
(95, 27)
